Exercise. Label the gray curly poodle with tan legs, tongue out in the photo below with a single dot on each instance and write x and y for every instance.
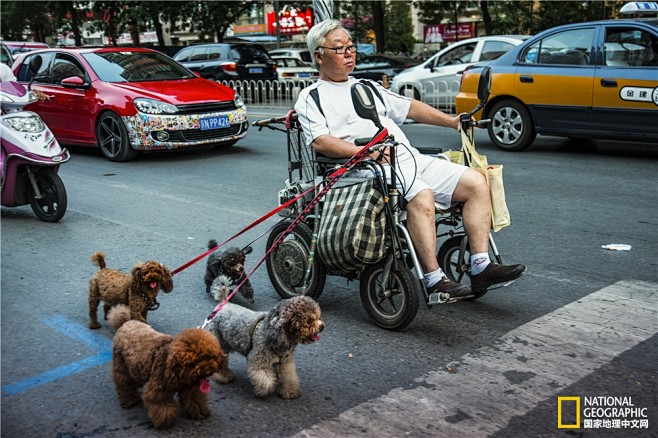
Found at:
(268, 341)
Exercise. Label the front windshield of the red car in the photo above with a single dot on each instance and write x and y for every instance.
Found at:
(129, 66)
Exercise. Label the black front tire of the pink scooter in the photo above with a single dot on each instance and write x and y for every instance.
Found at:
(52, 206)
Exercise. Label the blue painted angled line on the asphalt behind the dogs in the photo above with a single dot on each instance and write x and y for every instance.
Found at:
(98, 343)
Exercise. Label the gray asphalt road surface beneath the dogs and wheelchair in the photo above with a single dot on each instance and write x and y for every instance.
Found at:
(581, 323)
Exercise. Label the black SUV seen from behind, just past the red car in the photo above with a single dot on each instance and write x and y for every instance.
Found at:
(229, 61)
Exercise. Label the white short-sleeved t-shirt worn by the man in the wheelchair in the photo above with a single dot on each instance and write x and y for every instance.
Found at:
(344, 123)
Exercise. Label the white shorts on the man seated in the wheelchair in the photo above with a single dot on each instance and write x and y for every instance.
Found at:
(427, 172)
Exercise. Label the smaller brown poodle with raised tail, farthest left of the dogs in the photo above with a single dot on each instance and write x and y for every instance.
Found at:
(138, 290)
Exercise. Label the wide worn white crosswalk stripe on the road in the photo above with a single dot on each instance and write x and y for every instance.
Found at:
(527, 366)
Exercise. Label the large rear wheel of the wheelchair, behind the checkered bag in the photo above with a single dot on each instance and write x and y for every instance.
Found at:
(286, 265)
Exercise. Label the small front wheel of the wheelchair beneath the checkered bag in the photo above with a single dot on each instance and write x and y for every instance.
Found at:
(391, 305)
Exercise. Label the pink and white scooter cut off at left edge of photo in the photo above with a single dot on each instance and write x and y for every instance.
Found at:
(30, 155)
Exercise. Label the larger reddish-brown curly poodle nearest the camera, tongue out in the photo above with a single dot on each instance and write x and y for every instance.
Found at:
(164, 366)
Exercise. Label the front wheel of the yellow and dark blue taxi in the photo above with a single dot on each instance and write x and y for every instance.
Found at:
(511, 127)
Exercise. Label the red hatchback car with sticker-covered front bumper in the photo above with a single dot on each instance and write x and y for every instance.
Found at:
(126, 100)
